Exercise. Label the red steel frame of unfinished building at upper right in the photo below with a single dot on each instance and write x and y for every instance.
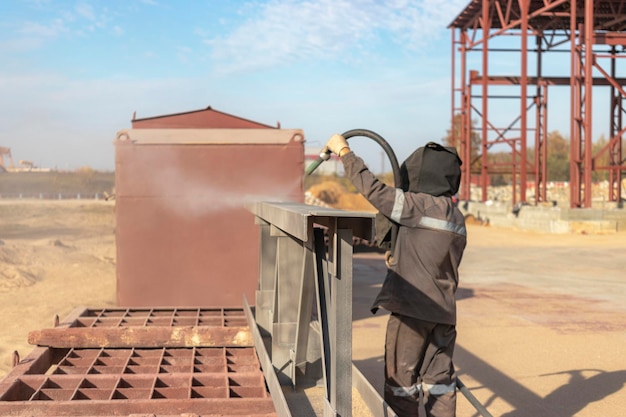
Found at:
(594, 31)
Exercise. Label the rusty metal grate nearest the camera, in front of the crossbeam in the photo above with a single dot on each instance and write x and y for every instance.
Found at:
(114, 374)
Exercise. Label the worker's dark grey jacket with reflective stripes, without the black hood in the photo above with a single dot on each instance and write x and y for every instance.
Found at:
(429, 247)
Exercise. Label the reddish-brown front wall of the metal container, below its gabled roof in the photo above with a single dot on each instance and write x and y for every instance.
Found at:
(184, 235)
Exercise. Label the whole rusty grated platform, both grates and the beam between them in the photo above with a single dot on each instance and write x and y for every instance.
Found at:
(203, 374)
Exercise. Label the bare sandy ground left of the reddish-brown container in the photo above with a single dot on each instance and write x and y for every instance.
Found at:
(54, 257)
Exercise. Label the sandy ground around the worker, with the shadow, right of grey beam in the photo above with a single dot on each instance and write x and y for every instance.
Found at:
(541, 323)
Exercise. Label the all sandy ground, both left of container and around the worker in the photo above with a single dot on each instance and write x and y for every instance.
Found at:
(541, 317)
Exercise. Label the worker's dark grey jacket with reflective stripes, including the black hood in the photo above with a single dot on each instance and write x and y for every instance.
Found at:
(431, 235)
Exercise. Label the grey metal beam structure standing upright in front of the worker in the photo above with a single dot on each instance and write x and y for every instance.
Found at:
(298, 267)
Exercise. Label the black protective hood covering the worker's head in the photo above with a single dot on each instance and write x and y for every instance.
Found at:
(432, 169)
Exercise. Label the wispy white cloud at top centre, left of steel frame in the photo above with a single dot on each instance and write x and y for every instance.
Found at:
(281, 32)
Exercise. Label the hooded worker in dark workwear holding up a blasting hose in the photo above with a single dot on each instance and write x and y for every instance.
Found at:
(422, 274)
